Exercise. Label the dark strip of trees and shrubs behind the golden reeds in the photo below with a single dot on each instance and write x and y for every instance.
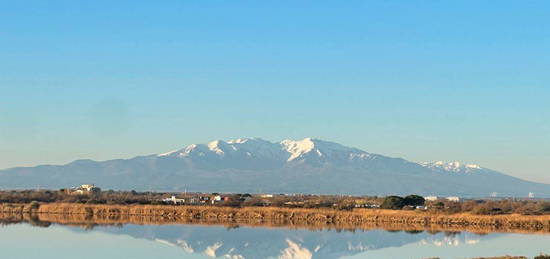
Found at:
(339, 202)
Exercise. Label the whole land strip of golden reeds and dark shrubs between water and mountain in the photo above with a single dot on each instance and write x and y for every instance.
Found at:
(411, 213)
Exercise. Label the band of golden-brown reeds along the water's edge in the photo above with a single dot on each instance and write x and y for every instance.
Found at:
(357, 219)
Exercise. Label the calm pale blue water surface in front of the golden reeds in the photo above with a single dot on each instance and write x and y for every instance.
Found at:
(194, 241)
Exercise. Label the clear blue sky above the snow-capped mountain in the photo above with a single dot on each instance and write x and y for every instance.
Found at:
(422, 80)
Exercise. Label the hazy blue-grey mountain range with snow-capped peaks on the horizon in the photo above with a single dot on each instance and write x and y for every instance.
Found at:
(256, 165)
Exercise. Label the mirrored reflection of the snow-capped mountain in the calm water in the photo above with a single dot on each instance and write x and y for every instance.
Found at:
(273, 243)
